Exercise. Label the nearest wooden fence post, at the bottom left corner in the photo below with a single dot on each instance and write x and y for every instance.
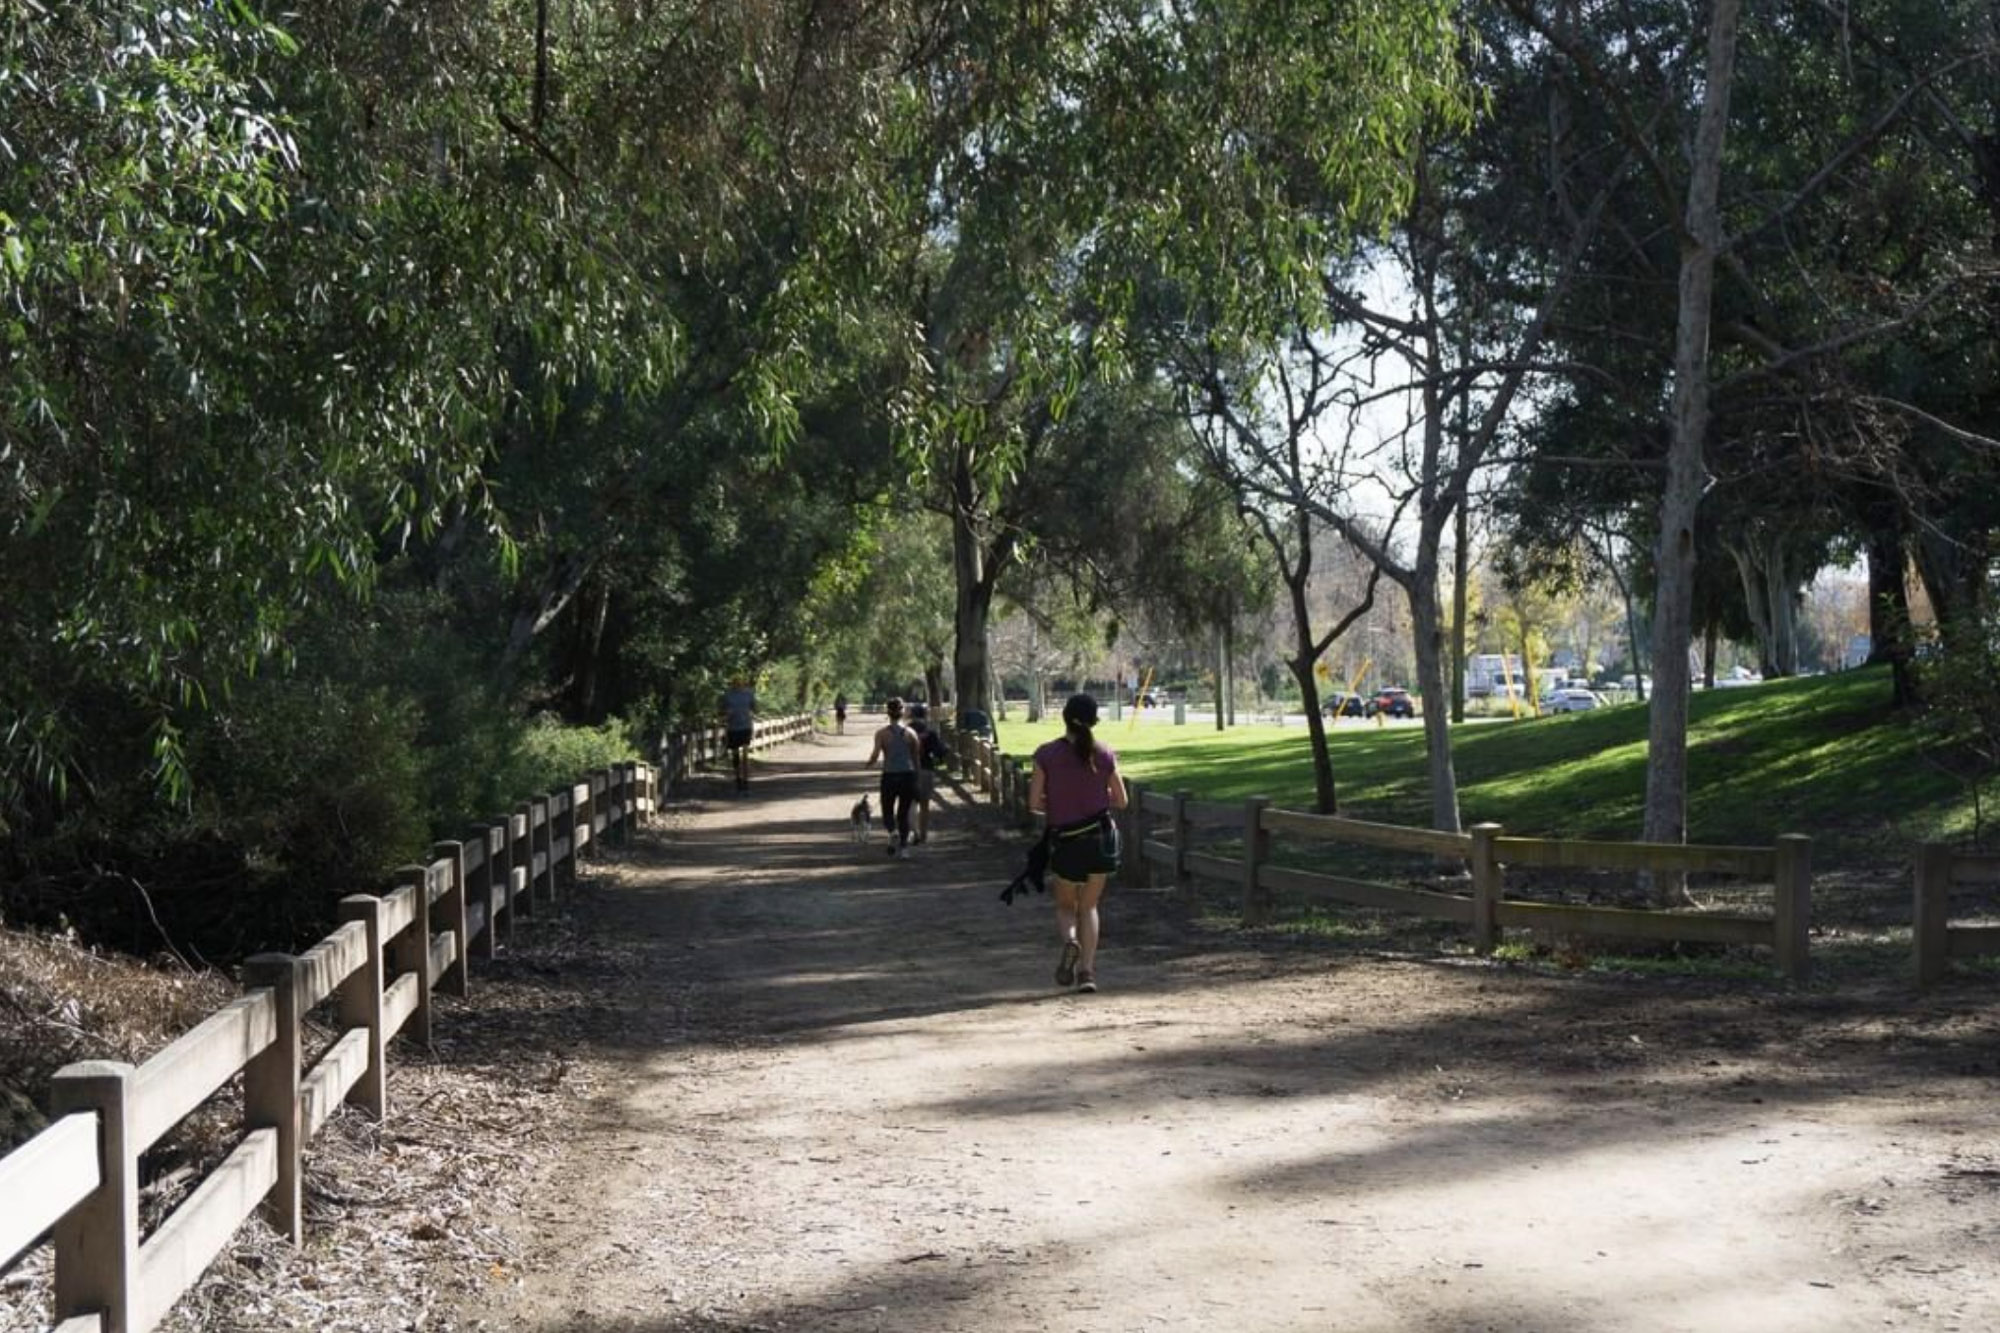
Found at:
(97, 1242)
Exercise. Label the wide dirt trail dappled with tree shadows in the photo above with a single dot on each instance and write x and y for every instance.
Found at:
(843, 1094)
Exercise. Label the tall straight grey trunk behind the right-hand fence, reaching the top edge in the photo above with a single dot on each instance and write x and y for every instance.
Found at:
(1687, 475)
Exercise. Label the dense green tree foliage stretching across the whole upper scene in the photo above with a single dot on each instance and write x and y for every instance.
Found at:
(377, 379)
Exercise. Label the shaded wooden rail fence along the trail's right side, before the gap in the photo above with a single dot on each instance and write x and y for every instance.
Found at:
(1159, 834)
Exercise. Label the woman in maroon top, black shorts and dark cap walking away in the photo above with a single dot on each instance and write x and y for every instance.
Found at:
(1077, 788)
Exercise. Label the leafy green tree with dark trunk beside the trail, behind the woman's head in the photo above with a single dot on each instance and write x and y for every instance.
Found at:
(1063, 149)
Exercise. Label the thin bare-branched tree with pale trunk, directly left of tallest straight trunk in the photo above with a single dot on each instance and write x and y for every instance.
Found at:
(1421, 399)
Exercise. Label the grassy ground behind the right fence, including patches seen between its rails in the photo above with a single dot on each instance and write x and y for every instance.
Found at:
(1813, 756)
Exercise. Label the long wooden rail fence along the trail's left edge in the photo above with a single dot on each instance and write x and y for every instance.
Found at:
(79, 1182)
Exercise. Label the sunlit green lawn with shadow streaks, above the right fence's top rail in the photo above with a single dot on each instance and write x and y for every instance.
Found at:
(1821, 756)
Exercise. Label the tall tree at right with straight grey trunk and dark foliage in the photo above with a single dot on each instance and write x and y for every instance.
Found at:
(1787, 291)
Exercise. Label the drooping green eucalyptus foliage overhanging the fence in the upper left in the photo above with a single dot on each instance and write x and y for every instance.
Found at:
(289, 299)
